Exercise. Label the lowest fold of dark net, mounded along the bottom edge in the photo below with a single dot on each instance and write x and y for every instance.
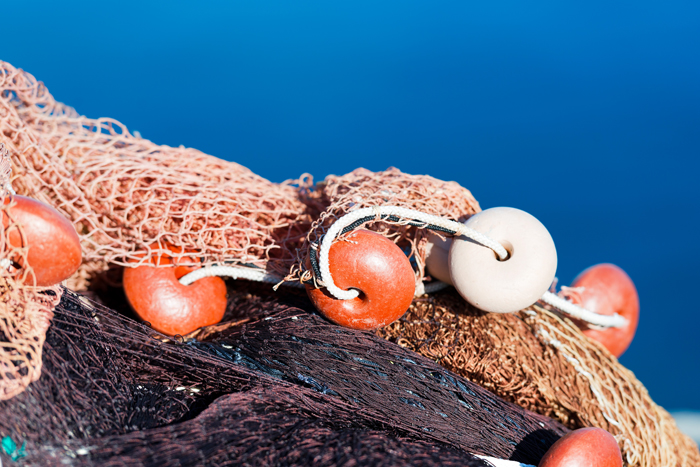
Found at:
(286, 432)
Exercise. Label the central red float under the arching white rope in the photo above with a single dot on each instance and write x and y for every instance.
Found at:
(375, 266)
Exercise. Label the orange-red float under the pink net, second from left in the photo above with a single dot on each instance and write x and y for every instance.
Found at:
(159, 298)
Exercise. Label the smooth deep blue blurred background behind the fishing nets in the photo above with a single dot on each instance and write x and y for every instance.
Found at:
(586, 115)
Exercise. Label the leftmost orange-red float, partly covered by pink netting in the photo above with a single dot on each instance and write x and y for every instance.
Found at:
(54, 252)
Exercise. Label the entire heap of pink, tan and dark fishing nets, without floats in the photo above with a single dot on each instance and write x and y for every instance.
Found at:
(106, 377)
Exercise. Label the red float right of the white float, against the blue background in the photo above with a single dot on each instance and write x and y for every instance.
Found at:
(606, 290)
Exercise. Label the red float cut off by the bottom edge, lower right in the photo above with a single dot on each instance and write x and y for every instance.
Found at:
(585, 447)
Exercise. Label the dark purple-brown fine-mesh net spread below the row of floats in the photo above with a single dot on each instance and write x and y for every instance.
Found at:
(113, 391)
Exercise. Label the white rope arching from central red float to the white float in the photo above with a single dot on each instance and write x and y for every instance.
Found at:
(402, 213)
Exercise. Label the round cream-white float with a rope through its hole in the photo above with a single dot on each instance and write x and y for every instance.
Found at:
(514, 283)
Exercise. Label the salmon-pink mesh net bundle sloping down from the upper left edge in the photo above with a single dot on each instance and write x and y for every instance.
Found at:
(129, 197)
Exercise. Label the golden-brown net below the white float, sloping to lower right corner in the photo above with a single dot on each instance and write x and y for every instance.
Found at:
(544, 363)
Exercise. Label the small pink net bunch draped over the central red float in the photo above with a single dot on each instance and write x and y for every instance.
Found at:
(336, 196)
